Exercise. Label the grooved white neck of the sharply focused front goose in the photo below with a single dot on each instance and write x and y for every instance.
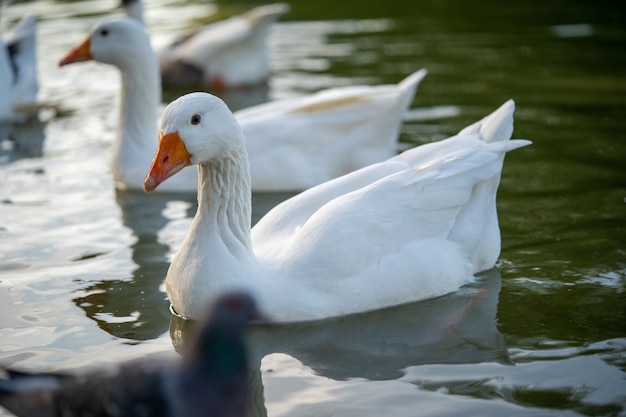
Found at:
(217, 253)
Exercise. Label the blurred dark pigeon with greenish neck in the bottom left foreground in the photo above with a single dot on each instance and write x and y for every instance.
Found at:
(212, 378)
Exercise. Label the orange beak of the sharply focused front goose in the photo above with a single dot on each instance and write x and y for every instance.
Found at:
(171, 156)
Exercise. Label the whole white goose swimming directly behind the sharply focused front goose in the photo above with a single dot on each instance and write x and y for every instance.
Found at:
(293, 143)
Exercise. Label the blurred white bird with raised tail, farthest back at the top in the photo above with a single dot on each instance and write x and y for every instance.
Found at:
(229, 53)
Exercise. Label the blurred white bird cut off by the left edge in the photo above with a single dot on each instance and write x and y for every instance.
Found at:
(18, 71)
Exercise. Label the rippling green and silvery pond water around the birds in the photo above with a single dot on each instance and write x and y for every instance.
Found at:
(81, 265)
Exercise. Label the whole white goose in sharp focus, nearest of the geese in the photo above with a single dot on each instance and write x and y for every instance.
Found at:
(416, 226)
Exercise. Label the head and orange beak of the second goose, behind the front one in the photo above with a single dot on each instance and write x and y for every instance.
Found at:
(110, 42)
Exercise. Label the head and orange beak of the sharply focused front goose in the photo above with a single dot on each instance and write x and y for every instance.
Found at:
(195, 129)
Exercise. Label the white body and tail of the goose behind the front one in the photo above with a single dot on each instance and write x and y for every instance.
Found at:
(300, 142)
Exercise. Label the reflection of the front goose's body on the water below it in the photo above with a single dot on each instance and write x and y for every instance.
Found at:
(453, 329)
